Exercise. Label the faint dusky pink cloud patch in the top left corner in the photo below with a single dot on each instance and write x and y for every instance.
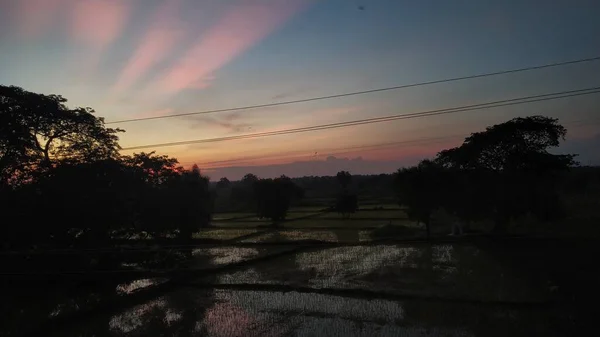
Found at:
(35, 17)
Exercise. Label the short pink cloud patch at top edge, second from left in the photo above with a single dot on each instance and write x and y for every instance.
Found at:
(99, 22)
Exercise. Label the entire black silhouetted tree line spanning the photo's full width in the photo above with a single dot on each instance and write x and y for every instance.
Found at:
(63, 182)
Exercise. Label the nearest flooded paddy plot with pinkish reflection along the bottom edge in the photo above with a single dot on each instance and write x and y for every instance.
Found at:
(191, 312)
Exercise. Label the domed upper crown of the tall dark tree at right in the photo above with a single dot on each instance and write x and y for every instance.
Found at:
(521, 143)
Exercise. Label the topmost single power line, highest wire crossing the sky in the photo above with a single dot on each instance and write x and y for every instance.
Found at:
(454, 79)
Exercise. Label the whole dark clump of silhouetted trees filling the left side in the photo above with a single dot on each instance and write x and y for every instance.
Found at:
(64, 163)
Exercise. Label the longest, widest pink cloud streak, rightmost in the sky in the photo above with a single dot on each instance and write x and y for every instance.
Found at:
(241, 27)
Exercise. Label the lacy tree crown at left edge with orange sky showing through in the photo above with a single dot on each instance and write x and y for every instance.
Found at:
(38, 131)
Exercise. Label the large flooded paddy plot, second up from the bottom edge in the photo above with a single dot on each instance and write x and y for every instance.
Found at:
(439, 270)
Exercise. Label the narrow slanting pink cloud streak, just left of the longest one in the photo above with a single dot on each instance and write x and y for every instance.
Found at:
(155, 45)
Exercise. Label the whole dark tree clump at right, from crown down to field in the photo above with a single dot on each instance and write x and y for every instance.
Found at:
(501, 173)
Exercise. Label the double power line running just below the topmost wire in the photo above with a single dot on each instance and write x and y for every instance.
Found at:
(494, 104)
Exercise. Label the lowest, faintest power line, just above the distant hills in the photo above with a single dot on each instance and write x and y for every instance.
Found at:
(371, 147)
